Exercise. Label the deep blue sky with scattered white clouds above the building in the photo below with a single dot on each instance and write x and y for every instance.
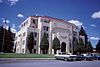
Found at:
(79, 12)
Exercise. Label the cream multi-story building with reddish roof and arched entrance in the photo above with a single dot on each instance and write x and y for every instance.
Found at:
(54, 27)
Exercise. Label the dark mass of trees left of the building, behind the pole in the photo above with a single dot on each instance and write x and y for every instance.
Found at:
(6, 40)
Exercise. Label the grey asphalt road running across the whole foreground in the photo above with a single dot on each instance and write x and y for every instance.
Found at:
(48, 63)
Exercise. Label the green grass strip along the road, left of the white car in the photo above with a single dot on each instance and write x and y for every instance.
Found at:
(15, 55)
